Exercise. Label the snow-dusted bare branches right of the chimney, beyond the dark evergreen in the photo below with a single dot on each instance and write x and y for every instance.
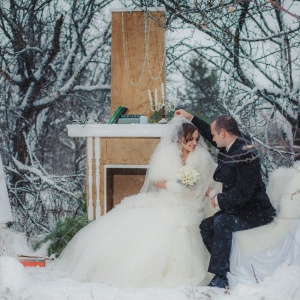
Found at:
(255, 47)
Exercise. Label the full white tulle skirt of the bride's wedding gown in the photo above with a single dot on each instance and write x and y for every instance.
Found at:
(149, 240)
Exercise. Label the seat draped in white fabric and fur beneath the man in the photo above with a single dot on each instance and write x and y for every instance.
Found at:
(258, 252)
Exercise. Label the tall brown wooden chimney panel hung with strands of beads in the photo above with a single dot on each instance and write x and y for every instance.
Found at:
(136, 54)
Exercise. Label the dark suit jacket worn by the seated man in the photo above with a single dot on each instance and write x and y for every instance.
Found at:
(239, 171)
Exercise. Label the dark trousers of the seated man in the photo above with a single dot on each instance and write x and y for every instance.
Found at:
(216, 233)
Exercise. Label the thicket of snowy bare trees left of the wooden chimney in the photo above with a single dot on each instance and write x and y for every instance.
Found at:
(54, 68)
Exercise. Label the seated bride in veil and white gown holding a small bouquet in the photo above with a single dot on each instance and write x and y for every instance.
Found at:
(152, 239)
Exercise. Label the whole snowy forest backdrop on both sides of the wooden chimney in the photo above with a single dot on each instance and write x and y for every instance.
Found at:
(238, 57)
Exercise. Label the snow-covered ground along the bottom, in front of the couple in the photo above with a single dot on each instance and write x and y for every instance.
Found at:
(36, 283)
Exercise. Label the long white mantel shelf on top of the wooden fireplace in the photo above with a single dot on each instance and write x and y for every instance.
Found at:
(117, 130)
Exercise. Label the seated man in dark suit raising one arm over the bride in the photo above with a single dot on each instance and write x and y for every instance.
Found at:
(243, 203)
